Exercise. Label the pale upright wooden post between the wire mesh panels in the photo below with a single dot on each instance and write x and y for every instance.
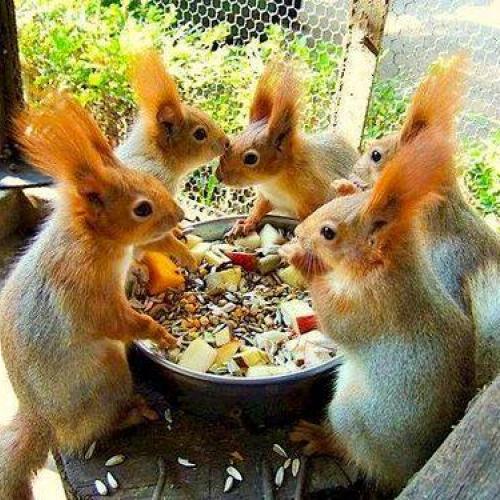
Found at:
(361, 51)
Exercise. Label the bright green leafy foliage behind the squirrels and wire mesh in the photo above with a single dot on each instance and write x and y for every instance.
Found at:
(84, 46)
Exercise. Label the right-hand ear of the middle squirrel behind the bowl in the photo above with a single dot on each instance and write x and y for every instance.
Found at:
(284, 118)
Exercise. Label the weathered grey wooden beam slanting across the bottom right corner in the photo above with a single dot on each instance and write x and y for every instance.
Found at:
(467, 464)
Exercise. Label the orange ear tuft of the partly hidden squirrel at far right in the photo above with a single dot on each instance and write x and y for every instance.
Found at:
(437, 99)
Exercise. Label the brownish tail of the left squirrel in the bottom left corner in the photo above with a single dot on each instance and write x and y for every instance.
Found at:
(24, 445)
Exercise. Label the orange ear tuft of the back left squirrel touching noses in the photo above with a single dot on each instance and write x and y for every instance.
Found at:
(156, 90)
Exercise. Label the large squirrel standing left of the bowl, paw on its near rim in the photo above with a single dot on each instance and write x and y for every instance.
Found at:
(65, 320)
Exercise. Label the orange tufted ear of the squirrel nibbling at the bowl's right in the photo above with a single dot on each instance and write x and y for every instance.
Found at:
(418, 175)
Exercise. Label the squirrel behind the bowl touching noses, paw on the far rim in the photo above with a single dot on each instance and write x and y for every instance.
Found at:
(291, 171)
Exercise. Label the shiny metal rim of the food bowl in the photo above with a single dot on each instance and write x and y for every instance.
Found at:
(243, 381)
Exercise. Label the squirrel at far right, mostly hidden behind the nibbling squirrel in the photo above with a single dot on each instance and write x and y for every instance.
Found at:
(463, 251)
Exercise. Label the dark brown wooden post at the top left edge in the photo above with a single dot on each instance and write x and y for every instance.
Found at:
(11, 96)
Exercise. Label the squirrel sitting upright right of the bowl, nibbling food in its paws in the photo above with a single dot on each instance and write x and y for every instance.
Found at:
(408, 350)
